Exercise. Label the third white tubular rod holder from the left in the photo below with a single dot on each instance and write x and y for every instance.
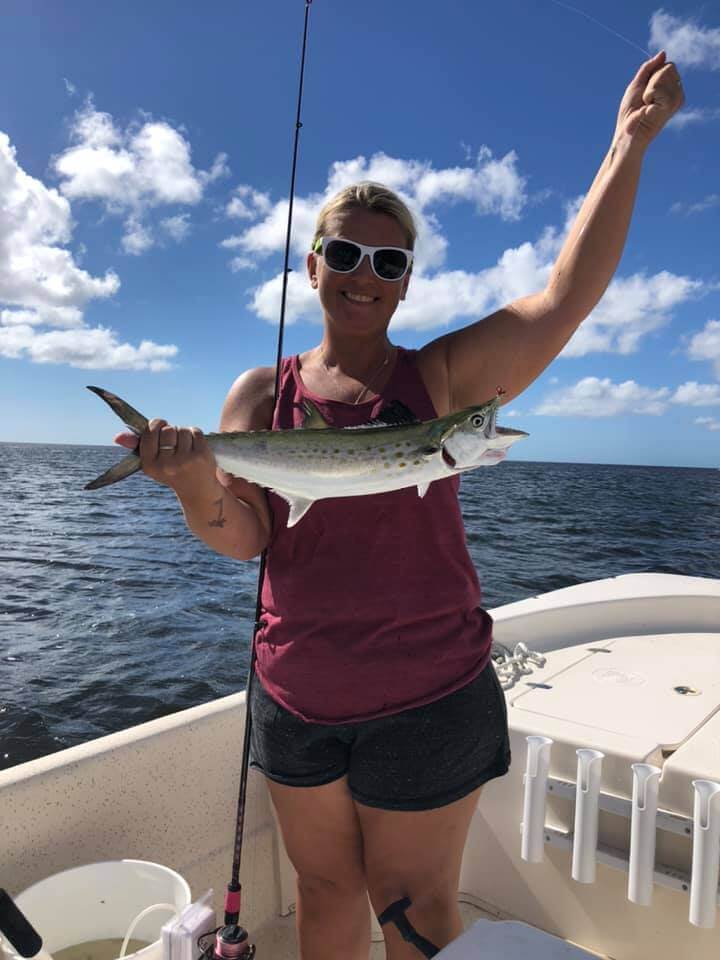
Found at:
(646, 783)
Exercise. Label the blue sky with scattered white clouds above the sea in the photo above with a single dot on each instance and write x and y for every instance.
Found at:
(144, 167)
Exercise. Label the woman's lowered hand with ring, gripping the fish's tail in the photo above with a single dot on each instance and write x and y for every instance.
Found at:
(179, 457)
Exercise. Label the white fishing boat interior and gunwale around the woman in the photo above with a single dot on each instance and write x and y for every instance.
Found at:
(633, 671)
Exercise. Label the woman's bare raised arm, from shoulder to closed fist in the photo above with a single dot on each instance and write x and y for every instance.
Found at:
(512, 346)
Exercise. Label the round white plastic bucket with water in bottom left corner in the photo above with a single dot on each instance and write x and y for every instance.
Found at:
(99, 901)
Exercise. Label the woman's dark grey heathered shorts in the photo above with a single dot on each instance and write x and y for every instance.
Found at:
(418, 759)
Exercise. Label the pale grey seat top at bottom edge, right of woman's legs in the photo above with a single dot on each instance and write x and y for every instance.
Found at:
(510, 940)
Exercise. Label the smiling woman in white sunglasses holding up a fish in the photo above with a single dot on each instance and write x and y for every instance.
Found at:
(376, 716)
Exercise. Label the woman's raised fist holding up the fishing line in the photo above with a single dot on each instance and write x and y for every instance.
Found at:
(655, 93)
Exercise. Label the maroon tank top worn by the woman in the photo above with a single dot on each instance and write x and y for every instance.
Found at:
(370, 604)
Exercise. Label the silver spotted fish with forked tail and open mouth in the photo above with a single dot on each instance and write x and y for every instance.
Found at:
(319, 461)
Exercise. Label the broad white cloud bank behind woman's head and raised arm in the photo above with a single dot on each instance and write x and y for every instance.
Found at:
(631, 308)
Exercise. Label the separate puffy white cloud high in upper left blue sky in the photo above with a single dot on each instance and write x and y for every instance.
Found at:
(131, 171)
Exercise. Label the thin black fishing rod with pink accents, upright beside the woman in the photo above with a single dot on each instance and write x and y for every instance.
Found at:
(227, 946)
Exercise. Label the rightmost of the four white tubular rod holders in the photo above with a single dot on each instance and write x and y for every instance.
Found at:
(706, 854)
